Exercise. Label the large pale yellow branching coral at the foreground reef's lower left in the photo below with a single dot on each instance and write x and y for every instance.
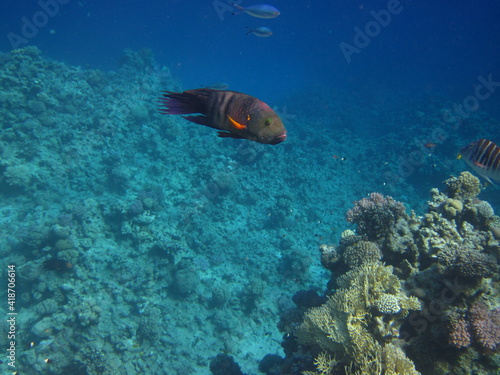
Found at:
(351, 324)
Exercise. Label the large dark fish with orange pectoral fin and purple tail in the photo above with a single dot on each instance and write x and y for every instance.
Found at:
(238, 115)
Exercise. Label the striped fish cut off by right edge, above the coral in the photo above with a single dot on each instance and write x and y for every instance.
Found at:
(484, 158)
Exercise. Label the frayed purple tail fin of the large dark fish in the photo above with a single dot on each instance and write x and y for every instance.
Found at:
(181, 103)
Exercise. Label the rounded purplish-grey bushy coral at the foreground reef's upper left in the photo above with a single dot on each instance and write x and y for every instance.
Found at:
(376, 215)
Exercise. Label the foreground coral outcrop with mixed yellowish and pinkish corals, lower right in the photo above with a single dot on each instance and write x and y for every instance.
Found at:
(383, 318)
